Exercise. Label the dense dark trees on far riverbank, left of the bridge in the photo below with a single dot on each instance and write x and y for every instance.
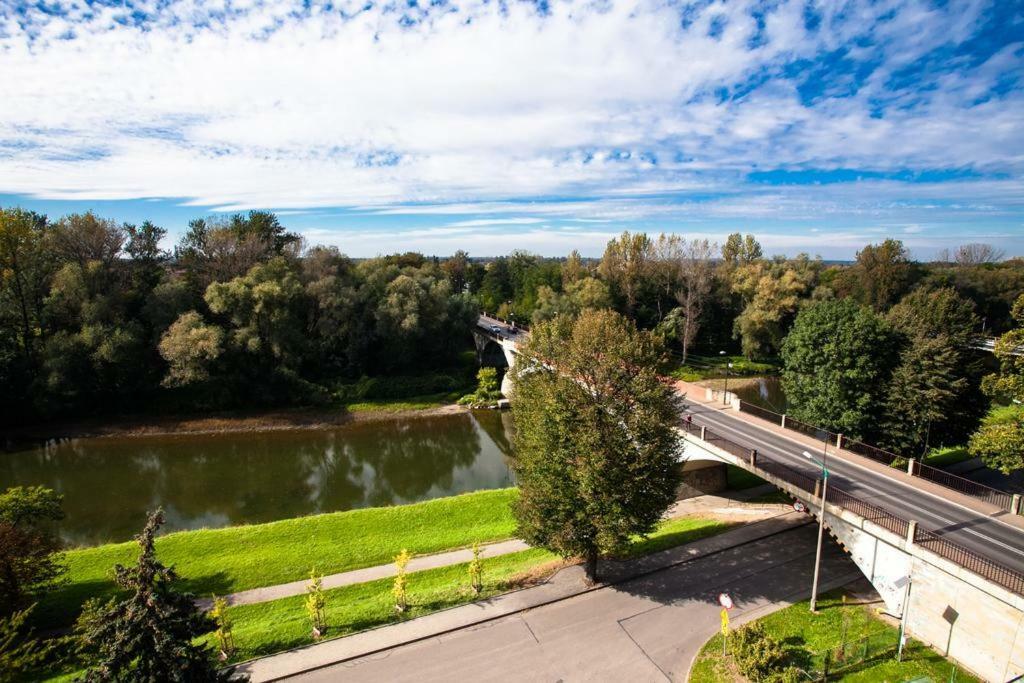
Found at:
(96, 316)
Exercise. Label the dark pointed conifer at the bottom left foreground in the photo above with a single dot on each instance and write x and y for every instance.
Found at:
(149, 636)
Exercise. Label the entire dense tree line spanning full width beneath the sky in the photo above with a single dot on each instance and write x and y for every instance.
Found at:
(96, 315)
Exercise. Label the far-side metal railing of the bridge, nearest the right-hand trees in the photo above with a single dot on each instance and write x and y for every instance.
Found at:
(995, 497)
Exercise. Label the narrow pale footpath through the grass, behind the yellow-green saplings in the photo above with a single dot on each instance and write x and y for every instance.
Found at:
(717, 506)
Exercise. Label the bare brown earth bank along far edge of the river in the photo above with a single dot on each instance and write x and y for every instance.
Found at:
(245, 421)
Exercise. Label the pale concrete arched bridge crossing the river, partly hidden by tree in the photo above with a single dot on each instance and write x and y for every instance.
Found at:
(960, 546)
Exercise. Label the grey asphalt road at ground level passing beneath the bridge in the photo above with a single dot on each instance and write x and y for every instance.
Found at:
(648, 629)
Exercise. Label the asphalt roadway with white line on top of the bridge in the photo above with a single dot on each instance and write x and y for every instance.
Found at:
(991, 538)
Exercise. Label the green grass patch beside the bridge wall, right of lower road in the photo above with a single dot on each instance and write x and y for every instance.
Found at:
(808, 636)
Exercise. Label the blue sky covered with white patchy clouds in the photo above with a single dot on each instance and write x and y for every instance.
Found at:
(437, 125)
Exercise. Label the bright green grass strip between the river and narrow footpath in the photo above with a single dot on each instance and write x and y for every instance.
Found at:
(228, 561)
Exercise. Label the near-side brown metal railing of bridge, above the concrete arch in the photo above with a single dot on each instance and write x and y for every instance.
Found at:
(1009, 579)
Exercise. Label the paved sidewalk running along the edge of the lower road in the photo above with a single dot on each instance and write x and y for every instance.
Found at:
(564, 585)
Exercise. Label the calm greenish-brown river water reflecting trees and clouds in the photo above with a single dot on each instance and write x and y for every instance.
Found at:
(223, 480)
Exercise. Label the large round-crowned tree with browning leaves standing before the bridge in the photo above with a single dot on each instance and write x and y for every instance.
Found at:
(595, 437)
